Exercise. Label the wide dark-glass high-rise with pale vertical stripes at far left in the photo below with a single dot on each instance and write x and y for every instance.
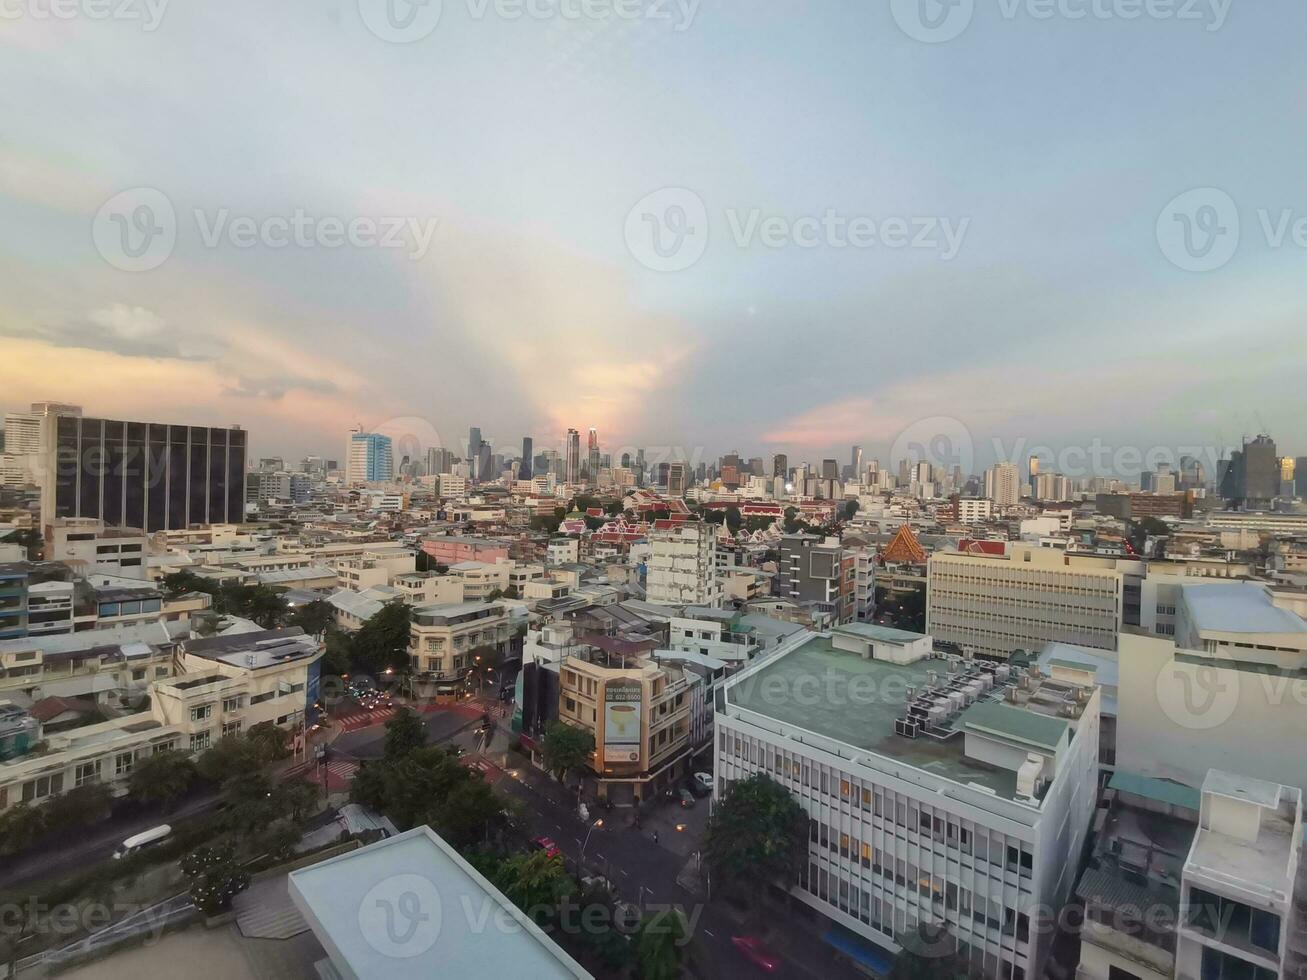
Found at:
(142, 475)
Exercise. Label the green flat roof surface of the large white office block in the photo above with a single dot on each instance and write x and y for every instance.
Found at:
(842, 697)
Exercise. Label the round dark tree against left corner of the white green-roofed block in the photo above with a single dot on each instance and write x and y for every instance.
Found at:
(757, 836)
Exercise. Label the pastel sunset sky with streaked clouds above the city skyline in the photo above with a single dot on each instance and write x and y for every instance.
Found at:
(978, 227)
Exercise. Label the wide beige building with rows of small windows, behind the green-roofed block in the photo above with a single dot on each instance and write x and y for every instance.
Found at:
(1023, 600)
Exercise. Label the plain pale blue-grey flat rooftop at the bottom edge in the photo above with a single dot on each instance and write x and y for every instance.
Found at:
(412, 907)
